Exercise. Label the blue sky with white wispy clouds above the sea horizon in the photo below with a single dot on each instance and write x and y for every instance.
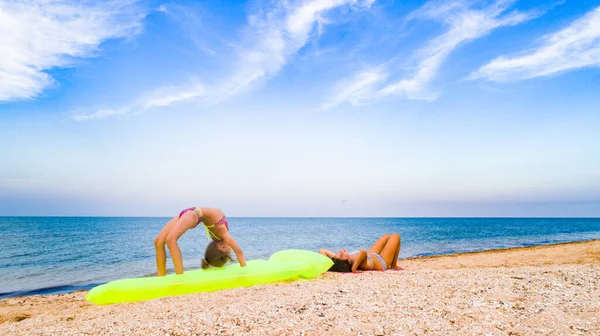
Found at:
(300, 108)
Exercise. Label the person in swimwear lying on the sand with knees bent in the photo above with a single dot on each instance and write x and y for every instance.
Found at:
(381, 256)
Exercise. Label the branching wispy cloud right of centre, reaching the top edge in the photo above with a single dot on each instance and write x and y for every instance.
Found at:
(464, 24)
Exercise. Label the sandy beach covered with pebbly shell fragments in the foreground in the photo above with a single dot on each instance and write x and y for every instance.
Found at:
(543, 290)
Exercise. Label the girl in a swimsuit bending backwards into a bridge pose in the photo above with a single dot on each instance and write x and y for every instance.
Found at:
(218, 250)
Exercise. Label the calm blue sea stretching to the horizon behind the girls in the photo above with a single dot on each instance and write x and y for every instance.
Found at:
(51, 255)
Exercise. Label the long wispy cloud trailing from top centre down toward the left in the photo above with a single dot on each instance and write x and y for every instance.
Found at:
(272, 37)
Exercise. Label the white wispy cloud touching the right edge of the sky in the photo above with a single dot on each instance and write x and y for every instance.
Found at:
(576, 46)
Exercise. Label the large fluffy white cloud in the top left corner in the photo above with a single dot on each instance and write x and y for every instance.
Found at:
(36, 36)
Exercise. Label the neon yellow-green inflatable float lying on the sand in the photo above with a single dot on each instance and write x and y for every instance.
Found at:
(282, 265)
